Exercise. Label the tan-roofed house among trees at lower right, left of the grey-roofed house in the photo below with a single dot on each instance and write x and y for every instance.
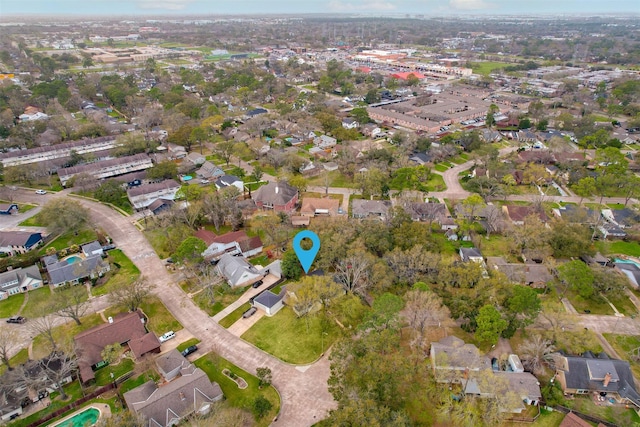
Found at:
(451, 358)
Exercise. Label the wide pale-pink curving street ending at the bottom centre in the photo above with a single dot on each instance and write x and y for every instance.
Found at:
(305, 397)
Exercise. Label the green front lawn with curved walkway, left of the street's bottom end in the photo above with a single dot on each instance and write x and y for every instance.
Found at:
(213, 365)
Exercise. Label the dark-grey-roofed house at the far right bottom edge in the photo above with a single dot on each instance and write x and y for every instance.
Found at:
(589, 374)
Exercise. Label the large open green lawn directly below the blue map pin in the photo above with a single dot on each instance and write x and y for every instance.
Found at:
(287, 338)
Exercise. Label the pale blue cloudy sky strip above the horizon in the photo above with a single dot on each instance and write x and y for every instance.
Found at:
(363, 7)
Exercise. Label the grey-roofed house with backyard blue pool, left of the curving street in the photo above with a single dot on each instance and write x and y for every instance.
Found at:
(74, 268)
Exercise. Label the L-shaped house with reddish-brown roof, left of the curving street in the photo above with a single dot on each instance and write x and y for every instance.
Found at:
(125, 329)
